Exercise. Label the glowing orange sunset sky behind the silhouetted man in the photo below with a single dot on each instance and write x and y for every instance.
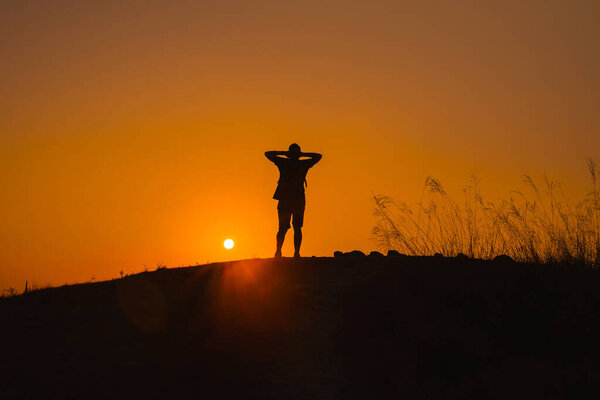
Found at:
(132, 133)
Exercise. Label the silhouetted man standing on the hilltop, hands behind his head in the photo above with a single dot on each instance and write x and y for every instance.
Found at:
(290, 191)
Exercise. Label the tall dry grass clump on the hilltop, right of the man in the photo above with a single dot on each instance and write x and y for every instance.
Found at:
(540, 225)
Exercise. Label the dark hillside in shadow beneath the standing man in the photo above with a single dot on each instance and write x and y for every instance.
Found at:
(347, 327)
